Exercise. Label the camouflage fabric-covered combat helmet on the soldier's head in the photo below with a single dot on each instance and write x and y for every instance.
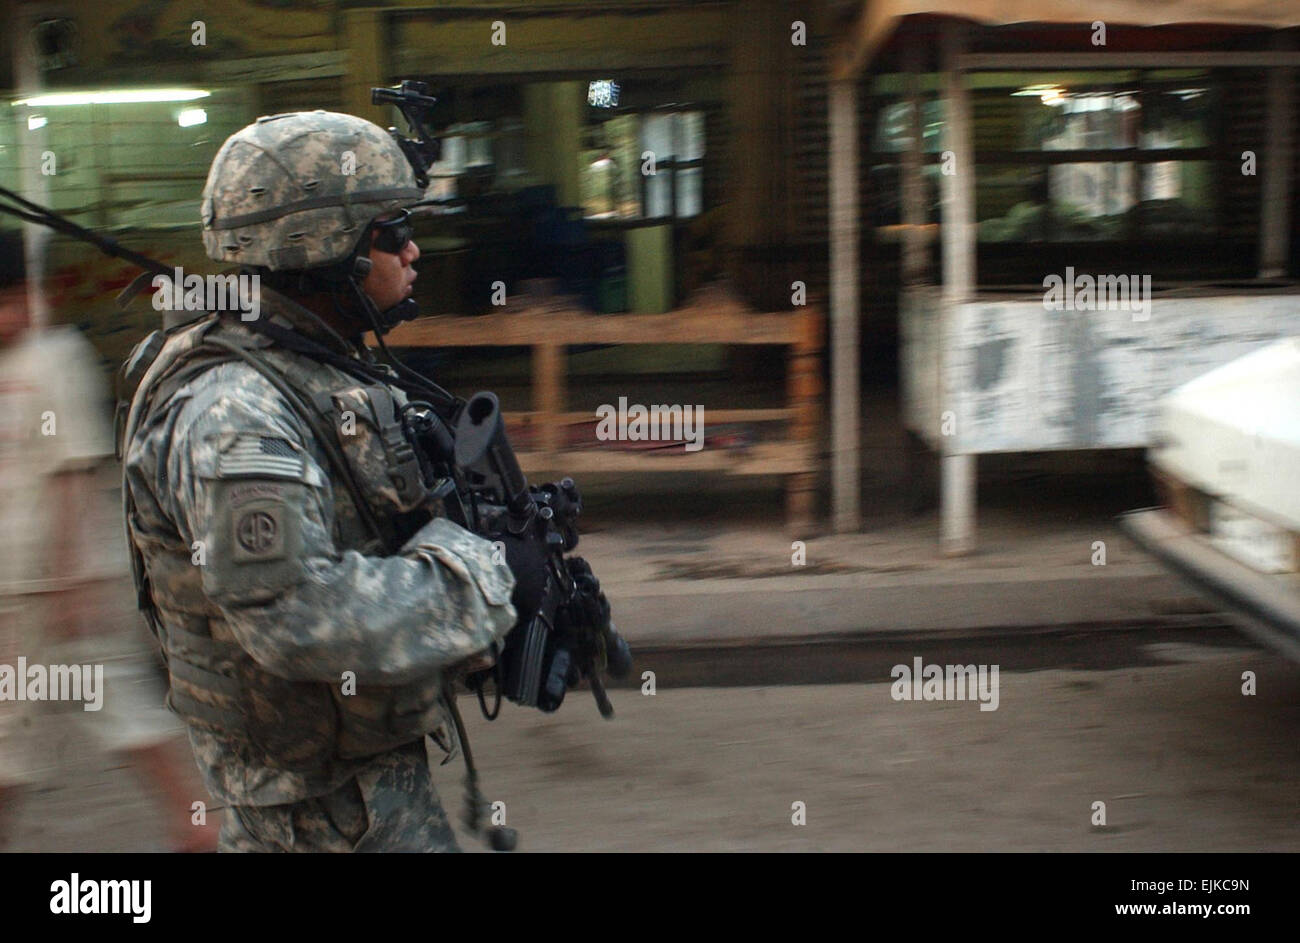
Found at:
(297, 191)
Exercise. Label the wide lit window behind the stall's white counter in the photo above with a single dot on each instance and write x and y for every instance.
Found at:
(1068, 158)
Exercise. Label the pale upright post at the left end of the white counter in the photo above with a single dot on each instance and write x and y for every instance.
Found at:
(957, 492)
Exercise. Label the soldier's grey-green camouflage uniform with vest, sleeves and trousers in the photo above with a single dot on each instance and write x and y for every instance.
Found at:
(267, 587)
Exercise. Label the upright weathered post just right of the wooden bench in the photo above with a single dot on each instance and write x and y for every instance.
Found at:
(846, 514)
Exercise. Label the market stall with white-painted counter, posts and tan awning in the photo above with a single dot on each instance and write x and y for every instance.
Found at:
(1086, 215)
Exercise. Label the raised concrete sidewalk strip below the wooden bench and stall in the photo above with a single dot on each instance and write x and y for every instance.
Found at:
(683, 582)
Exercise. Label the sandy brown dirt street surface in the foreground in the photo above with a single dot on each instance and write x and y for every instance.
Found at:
(1178, 755)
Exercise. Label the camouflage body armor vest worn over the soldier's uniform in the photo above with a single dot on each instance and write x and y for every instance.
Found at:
(215, 685)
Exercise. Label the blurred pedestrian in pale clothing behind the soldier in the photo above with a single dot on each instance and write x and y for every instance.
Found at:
(66, 595)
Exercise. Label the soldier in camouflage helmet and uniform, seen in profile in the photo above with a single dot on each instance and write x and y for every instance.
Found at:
(310, 603)
